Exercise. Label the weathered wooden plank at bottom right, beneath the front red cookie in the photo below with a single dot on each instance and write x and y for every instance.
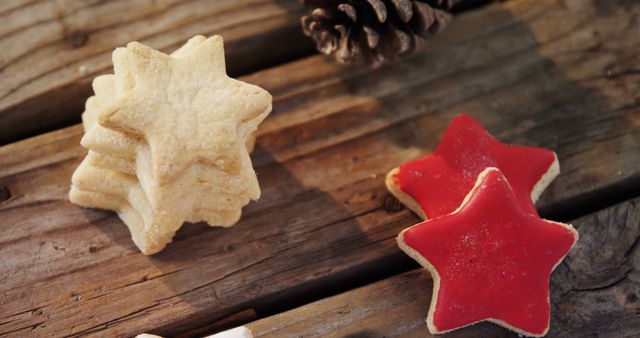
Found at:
(595, 293)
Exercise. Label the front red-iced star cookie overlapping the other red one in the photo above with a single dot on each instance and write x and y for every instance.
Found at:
(493, 259)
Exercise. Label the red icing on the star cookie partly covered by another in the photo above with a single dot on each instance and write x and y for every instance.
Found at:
(439, 182)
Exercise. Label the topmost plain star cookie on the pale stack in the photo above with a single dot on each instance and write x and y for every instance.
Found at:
(185, 108)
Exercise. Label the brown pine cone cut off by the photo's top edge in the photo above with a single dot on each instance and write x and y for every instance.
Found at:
(374, 30)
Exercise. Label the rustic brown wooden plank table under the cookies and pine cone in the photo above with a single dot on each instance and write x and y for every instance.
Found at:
(316, 256)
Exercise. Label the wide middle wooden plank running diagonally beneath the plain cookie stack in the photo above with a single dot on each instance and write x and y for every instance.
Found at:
(321, 160)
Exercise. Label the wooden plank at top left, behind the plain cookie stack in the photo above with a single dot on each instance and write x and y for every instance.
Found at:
(51, 49)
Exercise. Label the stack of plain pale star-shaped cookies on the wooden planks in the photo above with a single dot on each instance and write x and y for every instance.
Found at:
(169, 138)
